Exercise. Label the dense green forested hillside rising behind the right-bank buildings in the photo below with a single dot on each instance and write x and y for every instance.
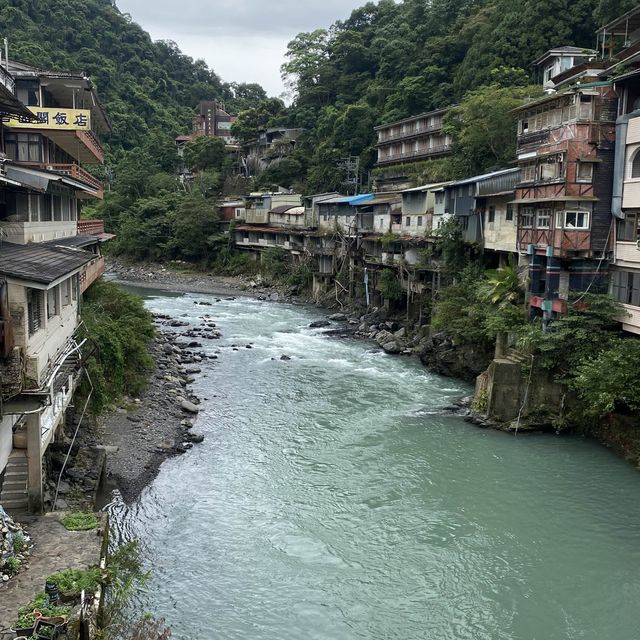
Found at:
(388, 61)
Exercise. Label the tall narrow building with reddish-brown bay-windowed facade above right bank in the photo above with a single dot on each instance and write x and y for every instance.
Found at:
(565, 150)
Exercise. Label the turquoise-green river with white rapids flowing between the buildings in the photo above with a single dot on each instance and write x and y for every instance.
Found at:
(331, 501)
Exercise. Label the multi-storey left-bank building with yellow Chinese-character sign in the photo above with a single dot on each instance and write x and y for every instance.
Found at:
(45, 265)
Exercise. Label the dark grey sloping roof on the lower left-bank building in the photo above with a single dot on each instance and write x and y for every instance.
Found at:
(40, 262)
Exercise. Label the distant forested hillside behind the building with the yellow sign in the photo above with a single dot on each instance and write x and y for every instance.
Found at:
(145, 85)
